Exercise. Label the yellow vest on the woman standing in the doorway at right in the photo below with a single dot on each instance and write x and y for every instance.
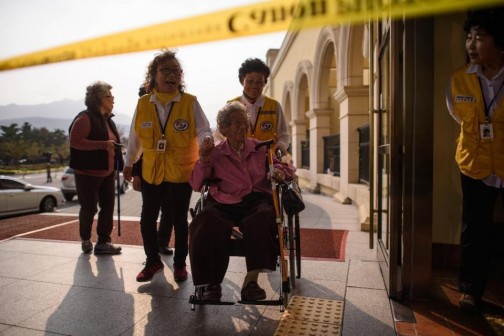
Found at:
(477, 158)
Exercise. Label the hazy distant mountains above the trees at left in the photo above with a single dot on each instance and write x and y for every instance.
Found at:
(55, 115)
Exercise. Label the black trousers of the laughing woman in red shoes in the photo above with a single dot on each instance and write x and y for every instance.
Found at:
(173, 200)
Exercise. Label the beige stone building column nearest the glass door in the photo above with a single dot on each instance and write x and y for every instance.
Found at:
(354, 112)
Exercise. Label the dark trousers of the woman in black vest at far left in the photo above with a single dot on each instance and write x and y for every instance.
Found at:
(93, 191)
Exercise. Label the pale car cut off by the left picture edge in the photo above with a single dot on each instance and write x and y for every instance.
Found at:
(18, 197)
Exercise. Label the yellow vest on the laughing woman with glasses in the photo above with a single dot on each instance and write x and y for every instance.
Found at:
(176, 163)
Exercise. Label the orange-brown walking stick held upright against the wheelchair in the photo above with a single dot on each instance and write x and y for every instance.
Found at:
(278, 218)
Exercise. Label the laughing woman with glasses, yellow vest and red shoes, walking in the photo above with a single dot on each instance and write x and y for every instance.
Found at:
(168, 127)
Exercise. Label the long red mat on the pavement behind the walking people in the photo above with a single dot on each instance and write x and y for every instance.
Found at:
(315, 243)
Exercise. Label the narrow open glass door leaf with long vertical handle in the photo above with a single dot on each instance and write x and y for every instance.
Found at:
(387, 172)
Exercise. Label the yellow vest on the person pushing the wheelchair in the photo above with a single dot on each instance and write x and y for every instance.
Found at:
(266, 124)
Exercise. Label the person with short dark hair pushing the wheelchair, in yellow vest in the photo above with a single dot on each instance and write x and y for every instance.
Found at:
(267, 120)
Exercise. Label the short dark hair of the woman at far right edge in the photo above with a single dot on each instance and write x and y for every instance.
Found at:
(490, 19)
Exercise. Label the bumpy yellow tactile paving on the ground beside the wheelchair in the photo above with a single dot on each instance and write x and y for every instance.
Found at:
(311, 316)
